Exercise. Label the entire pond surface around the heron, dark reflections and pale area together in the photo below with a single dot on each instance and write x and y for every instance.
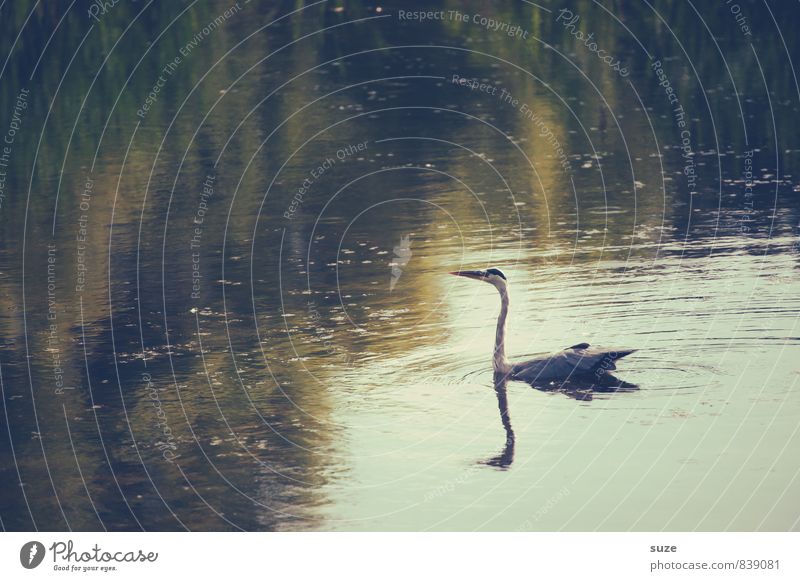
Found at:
(225, 239)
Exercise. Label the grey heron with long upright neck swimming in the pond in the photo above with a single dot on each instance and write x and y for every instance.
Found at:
(578, 362)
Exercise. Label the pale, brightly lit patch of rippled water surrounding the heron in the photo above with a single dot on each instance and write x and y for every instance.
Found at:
(712, 420)
